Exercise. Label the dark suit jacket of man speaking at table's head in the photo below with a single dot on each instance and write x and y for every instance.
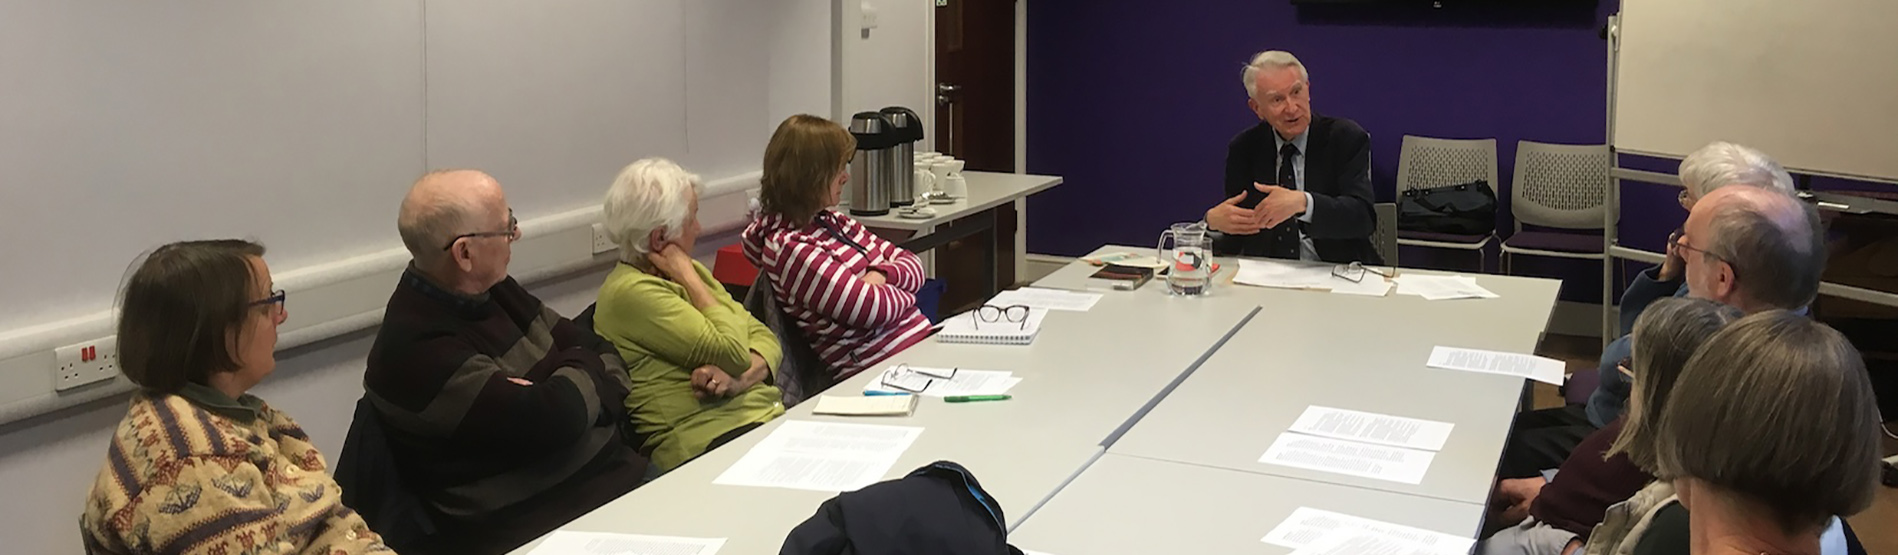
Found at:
(1337, 176)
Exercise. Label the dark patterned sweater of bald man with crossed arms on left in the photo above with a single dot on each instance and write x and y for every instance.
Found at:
(477, 446)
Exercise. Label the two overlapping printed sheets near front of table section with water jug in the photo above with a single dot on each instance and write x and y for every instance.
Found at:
(1360, 444)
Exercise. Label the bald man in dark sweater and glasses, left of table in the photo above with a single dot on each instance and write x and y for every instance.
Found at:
(502, 415)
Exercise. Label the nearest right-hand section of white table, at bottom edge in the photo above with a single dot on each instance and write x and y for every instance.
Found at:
(1128, 505)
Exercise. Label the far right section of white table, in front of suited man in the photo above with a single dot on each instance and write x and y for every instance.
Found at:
(1364, 354)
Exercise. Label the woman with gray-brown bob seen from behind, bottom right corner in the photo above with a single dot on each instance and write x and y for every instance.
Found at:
(1768, 440)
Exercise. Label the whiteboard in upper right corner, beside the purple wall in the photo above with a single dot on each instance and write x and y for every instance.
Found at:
(1810, 83)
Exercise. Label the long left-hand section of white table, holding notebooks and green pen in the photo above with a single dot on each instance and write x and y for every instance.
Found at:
(1085, 377)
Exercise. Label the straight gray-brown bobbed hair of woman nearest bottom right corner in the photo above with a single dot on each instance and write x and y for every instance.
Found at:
(1776, 410)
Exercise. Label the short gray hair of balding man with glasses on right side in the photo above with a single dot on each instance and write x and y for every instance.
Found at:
(1776, 261)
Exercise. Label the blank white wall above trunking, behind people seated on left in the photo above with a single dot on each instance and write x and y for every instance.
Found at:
(301, 124)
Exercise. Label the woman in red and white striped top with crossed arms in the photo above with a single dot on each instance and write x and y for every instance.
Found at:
(851, 294)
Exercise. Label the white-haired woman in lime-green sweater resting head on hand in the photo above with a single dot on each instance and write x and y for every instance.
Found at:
(699, 362)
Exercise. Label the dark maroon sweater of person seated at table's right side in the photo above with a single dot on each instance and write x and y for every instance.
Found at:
(1586, 486)
